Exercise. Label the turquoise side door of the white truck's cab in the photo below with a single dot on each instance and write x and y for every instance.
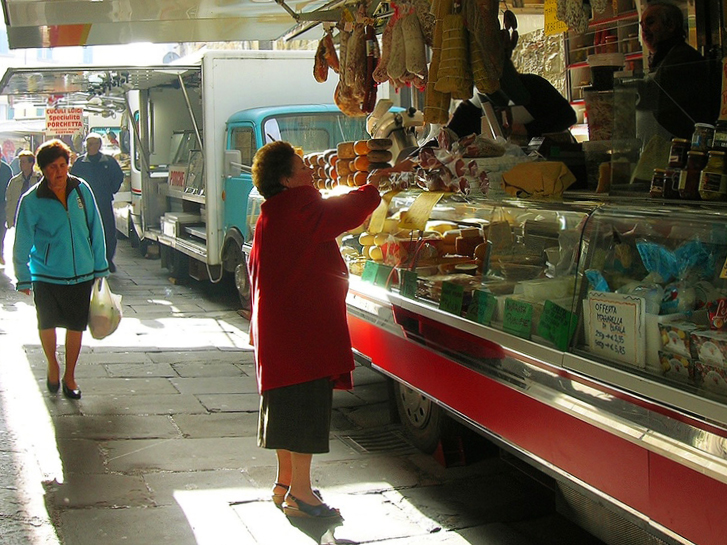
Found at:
(240, 136)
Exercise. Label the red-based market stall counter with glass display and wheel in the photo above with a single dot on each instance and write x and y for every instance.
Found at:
(586, 337)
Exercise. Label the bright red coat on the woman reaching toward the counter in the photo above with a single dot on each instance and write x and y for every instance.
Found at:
(299, 283)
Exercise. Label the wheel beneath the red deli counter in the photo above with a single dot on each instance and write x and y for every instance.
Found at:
(424, 421)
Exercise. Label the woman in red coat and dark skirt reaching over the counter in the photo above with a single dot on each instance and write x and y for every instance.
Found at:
(298, 327)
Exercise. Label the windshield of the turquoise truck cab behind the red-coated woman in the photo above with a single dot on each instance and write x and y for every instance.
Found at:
(315, 131)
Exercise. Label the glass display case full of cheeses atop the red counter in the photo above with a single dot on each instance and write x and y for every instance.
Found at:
(630, 295)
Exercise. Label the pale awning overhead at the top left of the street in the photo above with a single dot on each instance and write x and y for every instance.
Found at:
(55, 23)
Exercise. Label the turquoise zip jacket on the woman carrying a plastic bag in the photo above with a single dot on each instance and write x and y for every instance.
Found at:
(58, 245)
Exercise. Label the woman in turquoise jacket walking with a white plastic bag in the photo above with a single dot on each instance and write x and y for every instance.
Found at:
(59, 250)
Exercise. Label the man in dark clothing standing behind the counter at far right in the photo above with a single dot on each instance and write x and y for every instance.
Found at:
(682, 88)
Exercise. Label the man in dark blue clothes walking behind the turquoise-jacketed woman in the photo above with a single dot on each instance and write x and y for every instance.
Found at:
(104, 175)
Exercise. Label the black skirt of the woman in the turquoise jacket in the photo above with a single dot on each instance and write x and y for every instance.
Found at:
(60, 305)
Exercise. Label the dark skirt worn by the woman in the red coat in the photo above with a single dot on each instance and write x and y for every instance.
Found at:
(297, 417)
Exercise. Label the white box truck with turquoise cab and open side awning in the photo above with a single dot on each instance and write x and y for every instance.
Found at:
(194, 128)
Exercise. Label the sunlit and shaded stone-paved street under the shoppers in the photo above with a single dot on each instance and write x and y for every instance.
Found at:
(161, 448)
